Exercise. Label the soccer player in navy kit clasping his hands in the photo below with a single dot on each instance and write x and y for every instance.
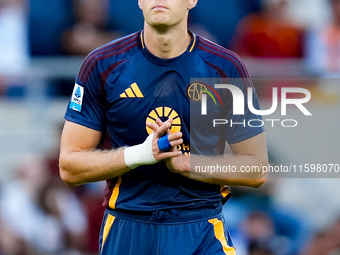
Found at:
(131, 93)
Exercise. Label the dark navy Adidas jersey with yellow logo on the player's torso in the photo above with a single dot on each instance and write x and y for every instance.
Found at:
(121, 86)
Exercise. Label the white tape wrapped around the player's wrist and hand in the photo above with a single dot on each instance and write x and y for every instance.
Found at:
(140, 154)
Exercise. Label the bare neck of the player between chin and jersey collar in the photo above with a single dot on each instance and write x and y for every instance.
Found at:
(167, 42)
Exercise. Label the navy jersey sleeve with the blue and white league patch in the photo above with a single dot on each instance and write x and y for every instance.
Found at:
(87, 103)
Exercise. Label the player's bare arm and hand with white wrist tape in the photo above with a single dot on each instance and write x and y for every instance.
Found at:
(80, 163)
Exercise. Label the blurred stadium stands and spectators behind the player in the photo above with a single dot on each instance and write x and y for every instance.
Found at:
(42, 45)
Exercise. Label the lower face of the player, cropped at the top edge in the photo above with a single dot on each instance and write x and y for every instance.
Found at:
(165, 13)
